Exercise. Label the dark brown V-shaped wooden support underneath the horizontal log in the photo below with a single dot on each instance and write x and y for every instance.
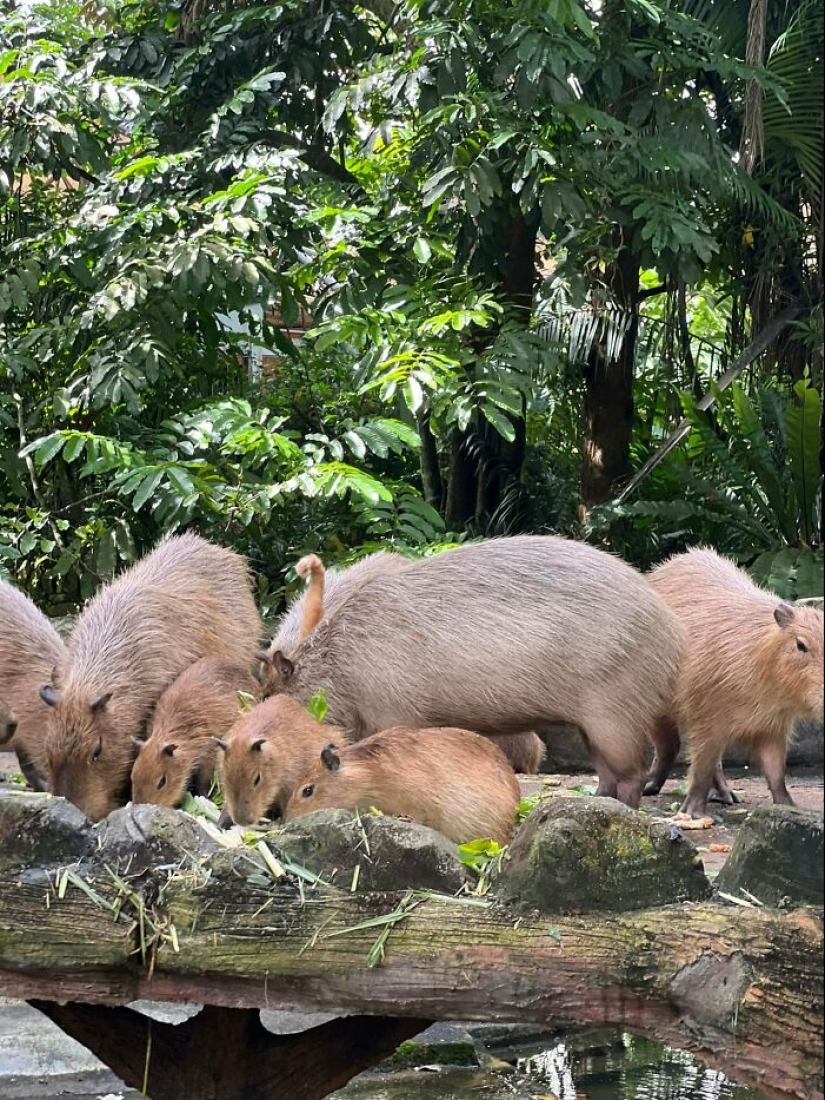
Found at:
(228, 1053)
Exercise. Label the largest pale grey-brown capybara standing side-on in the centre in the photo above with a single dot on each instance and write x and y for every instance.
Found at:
(500, 637)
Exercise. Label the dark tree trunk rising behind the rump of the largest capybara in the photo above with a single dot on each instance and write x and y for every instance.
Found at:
(609, 404)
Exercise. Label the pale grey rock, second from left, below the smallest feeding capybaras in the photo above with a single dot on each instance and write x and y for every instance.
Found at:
(146, 838)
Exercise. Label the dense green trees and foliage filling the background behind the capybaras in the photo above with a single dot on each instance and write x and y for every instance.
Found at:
(523, 233)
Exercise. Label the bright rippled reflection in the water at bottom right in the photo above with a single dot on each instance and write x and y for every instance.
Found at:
(626, 1068)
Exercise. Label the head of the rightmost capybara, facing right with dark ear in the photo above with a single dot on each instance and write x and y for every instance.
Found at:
(794, 665)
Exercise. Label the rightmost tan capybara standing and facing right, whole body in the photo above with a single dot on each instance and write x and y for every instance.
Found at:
(752, 665)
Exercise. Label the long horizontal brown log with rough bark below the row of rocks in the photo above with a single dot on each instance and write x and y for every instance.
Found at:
(733, 986)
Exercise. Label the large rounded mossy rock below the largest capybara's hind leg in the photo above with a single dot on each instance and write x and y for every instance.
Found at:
(591, 855)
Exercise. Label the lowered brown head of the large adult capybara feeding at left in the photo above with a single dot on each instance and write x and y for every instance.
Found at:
(87, 764)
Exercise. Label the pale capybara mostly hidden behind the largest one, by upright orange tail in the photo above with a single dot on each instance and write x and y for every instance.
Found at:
(325, 593)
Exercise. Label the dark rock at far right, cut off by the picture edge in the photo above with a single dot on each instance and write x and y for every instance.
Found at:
(778, 857)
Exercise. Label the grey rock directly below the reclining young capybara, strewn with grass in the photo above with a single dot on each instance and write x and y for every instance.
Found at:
(389, 854)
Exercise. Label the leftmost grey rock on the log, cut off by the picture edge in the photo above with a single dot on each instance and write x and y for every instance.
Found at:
(39, 830)
